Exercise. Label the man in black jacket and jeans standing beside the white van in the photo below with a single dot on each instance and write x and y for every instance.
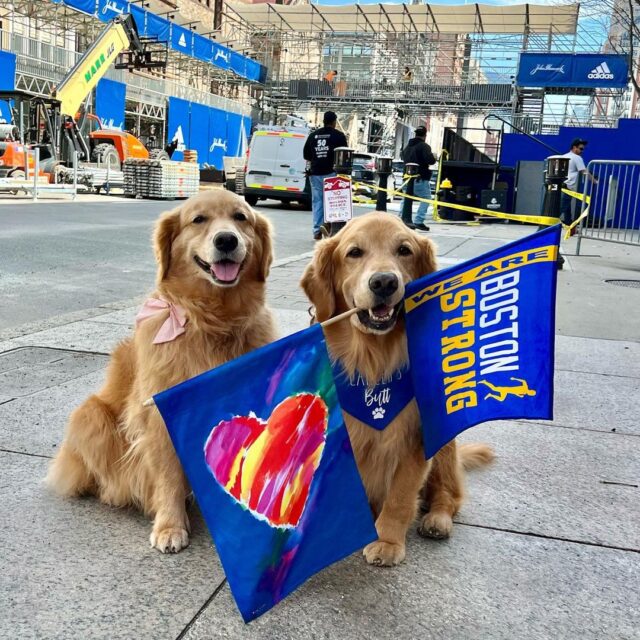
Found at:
(318, 151)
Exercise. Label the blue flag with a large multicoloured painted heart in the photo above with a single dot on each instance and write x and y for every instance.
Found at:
(264, 446)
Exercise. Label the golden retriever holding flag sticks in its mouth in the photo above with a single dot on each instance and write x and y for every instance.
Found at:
(366, 266)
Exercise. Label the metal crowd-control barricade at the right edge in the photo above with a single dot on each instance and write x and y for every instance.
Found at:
(613, 203)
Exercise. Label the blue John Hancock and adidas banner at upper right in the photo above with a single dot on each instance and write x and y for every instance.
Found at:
(584, 70)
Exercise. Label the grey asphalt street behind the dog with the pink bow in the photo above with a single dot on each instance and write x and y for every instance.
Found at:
(63, 257)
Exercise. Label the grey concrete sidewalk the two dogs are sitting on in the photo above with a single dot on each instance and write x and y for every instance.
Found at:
(546, 546)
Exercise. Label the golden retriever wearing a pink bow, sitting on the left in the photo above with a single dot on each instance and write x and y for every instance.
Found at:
(213, 254)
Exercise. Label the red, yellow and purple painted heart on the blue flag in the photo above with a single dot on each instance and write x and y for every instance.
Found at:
(268, 466)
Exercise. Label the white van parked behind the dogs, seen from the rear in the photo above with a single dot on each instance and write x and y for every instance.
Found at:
(275, 168)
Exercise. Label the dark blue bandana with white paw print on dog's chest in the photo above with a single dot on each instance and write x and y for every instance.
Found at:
(375, 406)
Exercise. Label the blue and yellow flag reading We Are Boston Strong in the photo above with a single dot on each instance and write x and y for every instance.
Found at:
(481, 338)
